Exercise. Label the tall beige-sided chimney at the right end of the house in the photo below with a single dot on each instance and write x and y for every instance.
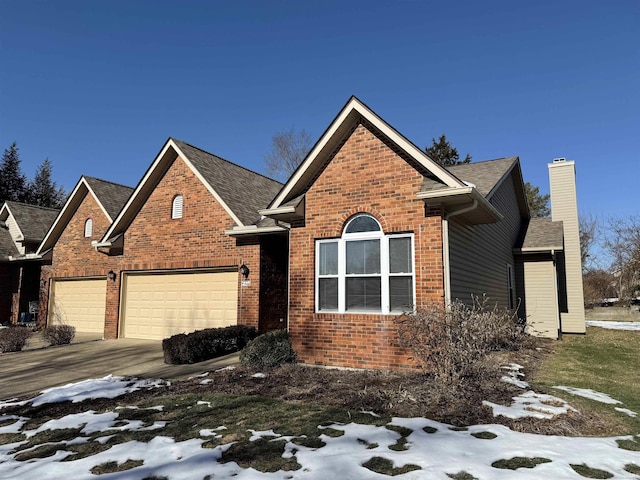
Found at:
(564, 207)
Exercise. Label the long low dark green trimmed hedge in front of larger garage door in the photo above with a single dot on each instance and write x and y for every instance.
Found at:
(205, 344)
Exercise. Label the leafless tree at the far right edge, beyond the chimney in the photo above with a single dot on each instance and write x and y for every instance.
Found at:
(622, 242)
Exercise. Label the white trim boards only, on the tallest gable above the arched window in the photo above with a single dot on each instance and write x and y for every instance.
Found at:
(356, 106)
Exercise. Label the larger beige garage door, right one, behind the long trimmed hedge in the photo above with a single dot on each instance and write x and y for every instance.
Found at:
(159, 305)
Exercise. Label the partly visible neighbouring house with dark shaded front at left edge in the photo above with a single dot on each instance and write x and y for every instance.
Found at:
(22, 228)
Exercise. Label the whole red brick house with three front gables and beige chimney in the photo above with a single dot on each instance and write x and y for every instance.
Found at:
(366, 228)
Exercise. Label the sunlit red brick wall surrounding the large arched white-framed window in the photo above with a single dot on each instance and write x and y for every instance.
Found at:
(365, 175)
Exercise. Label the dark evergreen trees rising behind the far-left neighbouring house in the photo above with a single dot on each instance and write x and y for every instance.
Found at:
(16, 187)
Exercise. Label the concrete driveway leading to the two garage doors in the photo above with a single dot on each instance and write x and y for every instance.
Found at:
(37, 368)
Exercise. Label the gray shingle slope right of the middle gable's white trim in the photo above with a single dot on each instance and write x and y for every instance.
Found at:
(244, 191)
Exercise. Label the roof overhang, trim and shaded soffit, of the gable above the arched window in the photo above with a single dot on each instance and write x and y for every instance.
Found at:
(352, 113)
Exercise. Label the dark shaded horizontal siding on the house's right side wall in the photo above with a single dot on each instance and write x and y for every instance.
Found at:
(479, 254)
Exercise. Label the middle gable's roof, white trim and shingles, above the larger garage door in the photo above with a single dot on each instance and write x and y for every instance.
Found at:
(241, 192)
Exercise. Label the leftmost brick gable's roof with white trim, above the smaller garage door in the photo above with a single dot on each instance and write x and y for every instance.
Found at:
(108, 195)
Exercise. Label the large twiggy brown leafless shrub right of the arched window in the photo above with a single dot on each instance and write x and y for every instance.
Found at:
(451, 343)
